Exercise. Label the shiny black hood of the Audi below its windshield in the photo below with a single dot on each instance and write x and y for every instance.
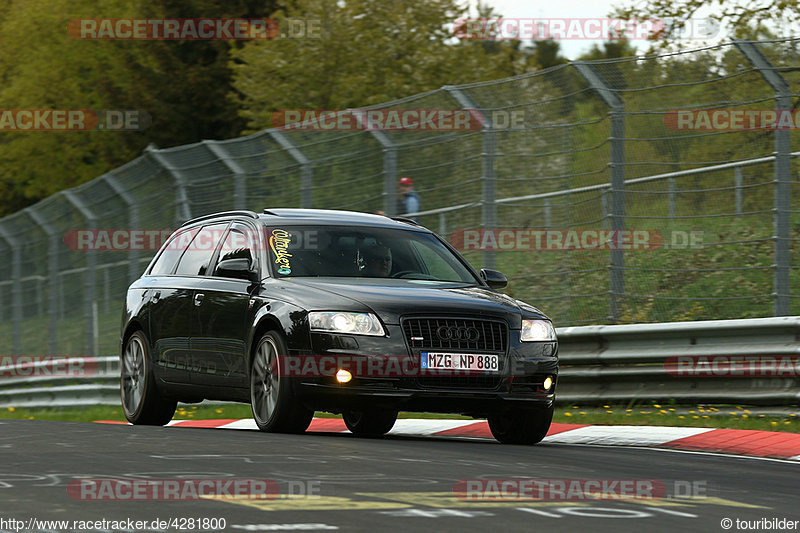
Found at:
(390, 298)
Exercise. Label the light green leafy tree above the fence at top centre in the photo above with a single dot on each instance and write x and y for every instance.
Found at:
(366, 52)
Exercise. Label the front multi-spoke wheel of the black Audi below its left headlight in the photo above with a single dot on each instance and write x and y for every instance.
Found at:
(271, 396)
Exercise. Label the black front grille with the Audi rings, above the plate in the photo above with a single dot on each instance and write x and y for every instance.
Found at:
(456, 334)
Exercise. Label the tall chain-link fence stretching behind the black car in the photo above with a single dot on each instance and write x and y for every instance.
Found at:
(598, 147)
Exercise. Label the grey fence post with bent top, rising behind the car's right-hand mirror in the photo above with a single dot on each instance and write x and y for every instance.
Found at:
(488, 171)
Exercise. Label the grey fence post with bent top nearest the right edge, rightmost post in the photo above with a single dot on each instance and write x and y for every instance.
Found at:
(783, 169)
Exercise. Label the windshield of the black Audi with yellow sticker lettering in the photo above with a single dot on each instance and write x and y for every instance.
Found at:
(350, 251)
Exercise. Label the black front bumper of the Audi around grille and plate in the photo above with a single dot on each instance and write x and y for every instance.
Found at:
(517, 385)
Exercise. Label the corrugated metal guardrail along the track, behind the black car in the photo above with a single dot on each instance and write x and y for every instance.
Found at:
(684, 362)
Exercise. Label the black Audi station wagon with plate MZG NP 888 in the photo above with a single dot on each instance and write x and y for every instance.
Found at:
(301, 310)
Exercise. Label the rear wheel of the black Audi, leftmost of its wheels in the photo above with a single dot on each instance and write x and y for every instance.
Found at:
(142, 402)
